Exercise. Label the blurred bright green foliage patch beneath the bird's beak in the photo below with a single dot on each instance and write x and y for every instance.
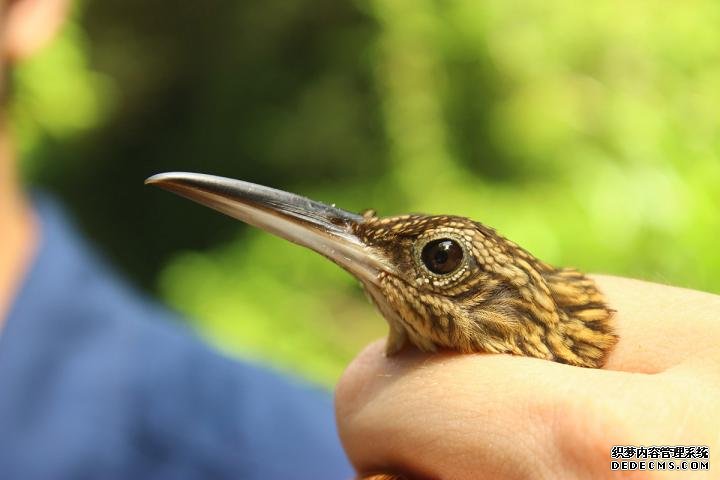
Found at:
(271, 300)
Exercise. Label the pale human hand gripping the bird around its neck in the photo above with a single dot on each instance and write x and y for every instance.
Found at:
(450, 416)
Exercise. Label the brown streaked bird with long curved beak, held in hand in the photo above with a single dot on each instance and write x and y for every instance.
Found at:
(442, 282)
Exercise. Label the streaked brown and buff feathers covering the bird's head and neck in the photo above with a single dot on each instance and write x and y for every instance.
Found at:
(500, 299)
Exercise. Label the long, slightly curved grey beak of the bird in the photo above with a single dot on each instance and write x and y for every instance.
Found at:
(323, 228)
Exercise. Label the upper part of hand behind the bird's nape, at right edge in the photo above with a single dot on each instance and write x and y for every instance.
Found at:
(659, 326)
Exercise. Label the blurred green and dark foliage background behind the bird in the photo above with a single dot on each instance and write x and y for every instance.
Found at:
(588, 132)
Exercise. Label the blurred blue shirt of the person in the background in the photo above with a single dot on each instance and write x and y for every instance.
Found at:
(97, 382)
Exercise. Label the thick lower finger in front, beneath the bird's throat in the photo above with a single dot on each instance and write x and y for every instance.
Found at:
(502, 417)
